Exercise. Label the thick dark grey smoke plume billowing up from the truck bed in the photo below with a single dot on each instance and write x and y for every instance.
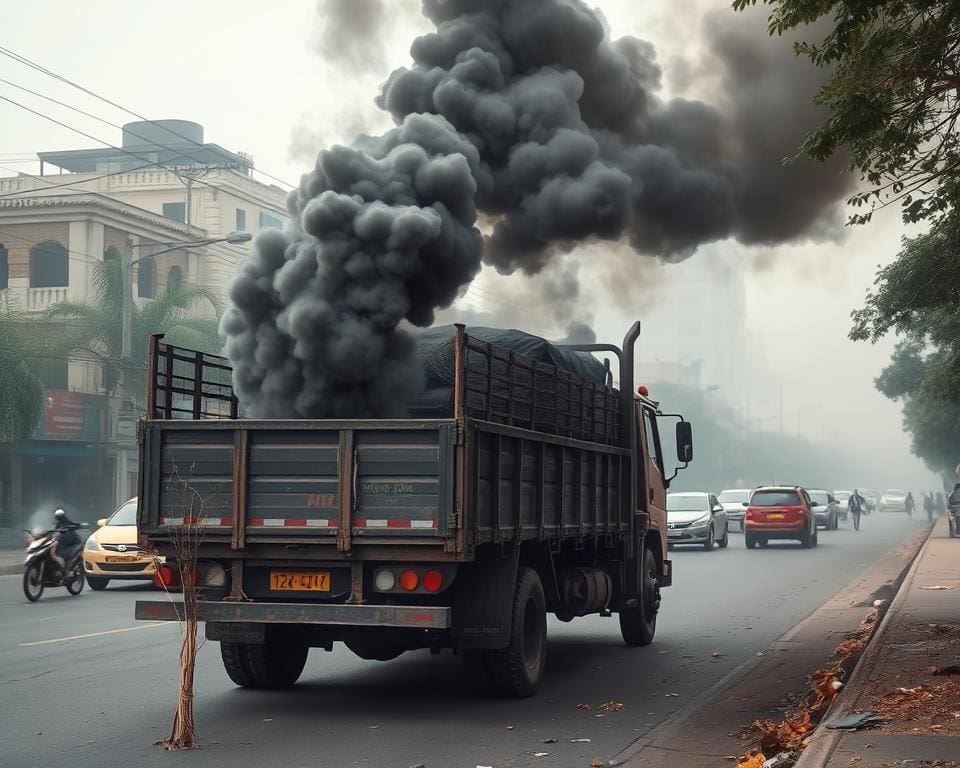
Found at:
(523, 109)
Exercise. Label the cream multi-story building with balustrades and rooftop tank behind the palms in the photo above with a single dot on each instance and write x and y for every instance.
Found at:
(164, 186)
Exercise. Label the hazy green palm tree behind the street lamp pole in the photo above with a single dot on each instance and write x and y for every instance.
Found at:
(95, 328)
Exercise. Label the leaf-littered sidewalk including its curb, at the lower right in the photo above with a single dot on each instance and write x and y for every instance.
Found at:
(895, 678)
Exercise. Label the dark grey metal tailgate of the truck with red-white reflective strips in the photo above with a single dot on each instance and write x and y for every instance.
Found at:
(253, 481)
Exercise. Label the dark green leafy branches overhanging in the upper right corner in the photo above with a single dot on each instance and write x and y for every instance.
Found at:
(891, 99)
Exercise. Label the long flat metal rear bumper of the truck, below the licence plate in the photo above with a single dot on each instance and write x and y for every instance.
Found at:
(408, 616)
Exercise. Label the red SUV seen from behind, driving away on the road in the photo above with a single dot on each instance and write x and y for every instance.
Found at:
(779, 512)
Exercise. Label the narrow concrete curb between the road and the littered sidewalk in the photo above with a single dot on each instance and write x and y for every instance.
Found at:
(823, 743)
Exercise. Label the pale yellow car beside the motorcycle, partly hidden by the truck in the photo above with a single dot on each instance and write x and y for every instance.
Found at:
(112, 551)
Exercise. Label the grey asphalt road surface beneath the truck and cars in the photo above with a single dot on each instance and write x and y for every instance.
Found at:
(82, 684)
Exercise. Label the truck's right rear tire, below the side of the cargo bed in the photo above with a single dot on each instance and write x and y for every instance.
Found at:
(515, 671)
